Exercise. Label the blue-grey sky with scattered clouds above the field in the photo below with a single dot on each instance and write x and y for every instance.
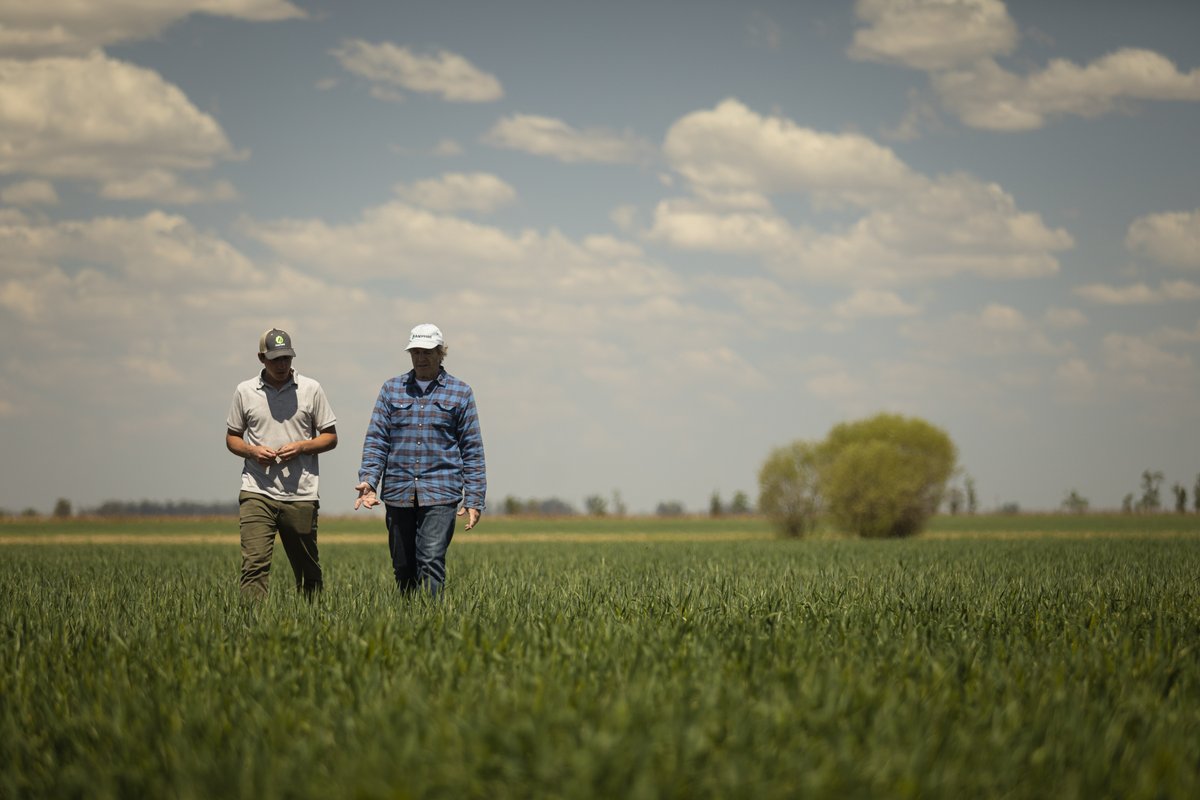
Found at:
(662, 238)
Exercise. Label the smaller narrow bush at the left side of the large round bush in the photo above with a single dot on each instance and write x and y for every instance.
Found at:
(789, 489)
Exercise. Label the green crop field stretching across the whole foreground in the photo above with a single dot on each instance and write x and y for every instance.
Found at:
(1034, 658)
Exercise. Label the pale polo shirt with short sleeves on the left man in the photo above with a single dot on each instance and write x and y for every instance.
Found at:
(266, 416)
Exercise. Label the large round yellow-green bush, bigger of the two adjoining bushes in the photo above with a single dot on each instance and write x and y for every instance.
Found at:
(886, 476)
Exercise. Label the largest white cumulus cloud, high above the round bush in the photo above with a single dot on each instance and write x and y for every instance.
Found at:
(903, 226)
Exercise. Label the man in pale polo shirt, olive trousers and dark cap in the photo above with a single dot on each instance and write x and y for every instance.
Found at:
(278, 424)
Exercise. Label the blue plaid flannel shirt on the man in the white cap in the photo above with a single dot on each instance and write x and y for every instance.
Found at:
(427, 448)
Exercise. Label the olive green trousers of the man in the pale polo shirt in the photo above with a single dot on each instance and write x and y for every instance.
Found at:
(261, 519)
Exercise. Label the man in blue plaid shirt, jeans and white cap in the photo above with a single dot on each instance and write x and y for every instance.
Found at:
(425, 446)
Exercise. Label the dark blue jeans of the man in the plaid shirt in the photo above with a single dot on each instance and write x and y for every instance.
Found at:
(418, 540)
